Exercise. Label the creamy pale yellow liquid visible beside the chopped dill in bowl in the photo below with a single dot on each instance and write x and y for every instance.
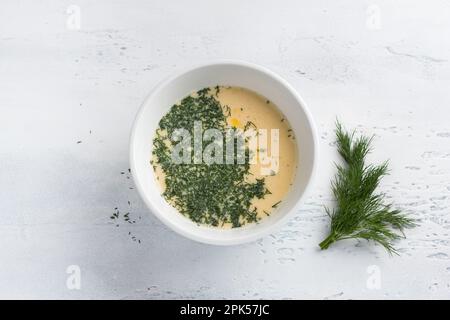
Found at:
(245, 106)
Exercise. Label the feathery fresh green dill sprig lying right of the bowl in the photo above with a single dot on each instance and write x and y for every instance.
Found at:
(360, 212)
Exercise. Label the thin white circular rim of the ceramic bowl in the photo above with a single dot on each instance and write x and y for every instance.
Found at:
(269, 228)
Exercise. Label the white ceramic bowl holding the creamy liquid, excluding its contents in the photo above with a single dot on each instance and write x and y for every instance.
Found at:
(233, 73)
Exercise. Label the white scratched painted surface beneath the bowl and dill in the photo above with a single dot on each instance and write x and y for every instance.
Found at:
(73, 74)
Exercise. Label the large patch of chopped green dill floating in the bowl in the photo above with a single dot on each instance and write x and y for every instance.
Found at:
(212, 194)
